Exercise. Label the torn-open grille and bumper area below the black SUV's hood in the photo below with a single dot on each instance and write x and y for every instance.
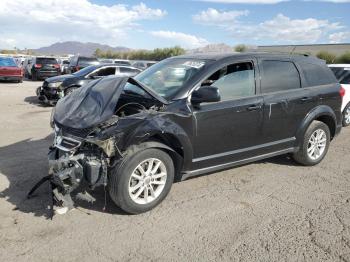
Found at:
(75, 163)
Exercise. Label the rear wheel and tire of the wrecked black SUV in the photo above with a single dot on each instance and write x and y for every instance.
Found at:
(314, 145)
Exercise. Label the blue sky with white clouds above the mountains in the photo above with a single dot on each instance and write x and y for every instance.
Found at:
(160, 23)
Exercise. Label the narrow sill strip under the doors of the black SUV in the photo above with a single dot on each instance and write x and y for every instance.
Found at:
(201, 171)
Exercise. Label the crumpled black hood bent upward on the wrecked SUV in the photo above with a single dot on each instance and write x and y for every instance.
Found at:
(91, 104)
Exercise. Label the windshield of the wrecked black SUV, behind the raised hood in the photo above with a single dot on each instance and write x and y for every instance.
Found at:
(167, 77)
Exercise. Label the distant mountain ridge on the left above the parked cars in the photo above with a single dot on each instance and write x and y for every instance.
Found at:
(73, 47)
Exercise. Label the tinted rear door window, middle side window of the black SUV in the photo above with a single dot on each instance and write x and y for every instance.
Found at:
(278, 76)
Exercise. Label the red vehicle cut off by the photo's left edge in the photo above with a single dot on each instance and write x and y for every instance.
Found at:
(9, 70)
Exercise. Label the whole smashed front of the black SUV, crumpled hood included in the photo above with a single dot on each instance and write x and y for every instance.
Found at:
(82, 154)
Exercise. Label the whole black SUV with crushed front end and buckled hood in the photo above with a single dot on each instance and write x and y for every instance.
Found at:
(186, 116)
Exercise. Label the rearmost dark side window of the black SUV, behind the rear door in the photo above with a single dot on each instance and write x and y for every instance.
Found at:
(316, 75)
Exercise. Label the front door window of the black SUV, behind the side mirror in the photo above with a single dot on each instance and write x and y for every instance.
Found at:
(233, 81)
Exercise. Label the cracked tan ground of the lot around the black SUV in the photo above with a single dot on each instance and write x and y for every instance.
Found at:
(272, 210)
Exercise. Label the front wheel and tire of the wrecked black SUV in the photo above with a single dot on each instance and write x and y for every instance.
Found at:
(141, 181)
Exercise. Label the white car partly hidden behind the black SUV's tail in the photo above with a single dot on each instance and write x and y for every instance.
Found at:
(342, 73)
